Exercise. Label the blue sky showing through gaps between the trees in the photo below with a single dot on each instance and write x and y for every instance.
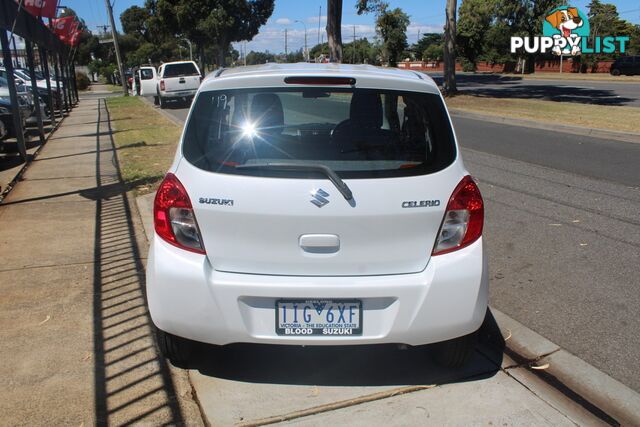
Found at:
(294, 15)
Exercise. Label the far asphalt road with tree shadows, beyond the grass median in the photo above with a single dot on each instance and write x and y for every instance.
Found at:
(580, 91)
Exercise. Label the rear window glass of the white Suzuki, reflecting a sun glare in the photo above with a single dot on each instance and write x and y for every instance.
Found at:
(359, 133)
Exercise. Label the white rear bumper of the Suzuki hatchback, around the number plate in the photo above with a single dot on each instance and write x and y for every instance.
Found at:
(189, 299)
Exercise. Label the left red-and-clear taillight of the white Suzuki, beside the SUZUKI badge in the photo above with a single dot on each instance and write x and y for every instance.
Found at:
(173, 216)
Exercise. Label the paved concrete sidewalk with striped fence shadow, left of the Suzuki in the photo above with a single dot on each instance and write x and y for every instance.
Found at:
(75, 338)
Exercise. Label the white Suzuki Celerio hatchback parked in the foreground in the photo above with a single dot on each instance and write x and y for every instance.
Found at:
(318, 205)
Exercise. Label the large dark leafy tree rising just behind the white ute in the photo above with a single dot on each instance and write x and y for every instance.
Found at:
(214, 22)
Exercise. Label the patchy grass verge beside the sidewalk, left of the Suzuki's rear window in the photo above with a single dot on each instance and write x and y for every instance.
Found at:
(146, 142)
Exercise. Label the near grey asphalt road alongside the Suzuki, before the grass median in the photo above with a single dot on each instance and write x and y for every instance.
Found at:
(563, 234)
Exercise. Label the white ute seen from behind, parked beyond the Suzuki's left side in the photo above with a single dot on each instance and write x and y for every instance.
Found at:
(177, 81)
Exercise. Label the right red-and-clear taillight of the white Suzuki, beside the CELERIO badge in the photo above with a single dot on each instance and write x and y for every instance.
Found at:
(463, 219)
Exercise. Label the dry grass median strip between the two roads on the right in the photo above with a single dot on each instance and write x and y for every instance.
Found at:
(622, 119)
